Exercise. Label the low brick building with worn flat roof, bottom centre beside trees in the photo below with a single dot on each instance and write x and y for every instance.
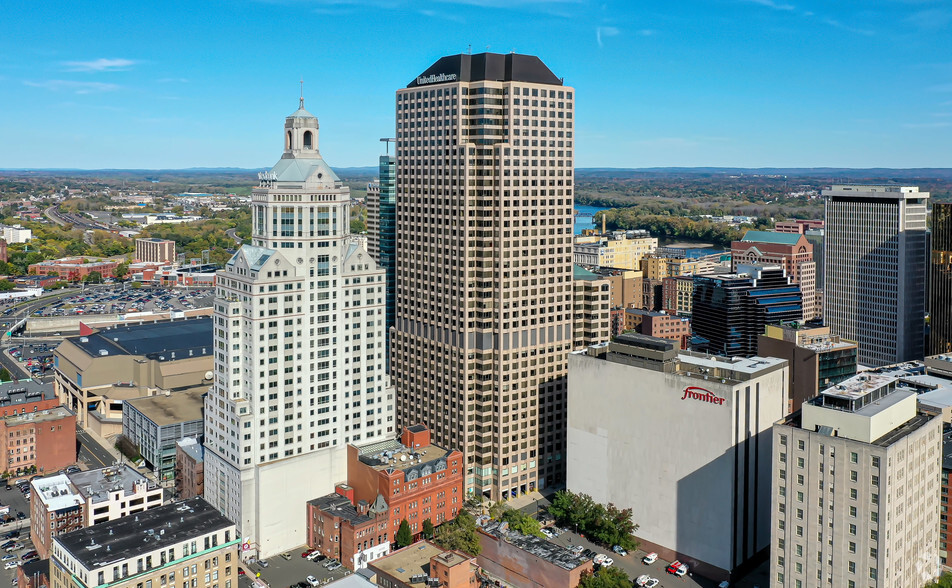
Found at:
(527, 561)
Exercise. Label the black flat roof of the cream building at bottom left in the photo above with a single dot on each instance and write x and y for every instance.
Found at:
(151, 530)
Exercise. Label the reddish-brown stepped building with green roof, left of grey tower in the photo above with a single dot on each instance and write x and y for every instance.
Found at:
(793, 252)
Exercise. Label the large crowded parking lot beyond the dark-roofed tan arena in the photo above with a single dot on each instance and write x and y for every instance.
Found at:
(123, 299)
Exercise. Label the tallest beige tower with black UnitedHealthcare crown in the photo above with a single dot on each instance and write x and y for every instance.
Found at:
(485, 148)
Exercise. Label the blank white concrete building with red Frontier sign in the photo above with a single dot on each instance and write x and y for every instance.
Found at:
(633, 441)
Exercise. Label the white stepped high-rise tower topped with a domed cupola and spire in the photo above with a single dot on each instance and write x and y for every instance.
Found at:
(299, 351)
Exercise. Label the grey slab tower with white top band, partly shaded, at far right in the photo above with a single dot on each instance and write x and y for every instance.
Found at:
(875, 258)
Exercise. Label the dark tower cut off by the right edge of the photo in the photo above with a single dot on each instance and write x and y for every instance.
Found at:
(940, 280)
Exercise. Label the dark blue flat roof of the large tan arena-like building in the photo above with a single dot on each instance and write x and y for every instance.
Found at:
(160, 341)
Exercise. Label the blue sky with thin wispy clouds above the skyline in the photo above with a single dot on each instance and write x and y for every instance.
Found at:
(664, 83)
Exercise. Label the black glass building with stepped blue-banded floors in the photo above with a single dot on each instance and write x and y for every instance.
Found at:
(730, 311)
